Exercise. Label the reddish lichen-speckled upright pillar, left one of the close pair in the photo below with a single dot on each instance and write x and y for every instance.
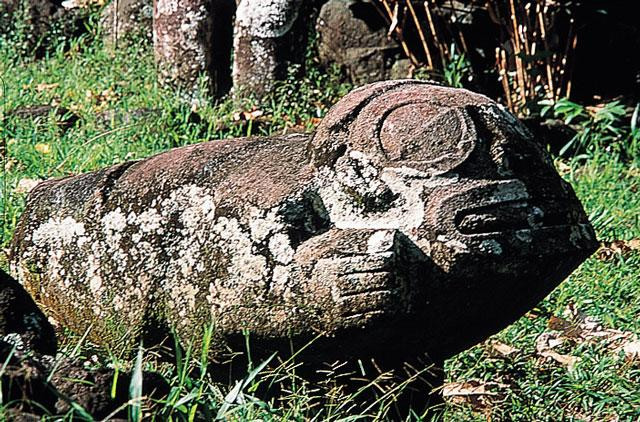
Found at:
(183, 43)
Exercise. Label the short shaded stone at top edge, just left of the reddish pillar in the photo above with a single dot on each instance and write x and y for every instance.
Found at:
(124, 20)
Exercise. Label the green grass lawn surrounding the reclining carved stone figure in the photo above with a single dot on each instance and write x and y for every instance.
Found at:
(123, 114)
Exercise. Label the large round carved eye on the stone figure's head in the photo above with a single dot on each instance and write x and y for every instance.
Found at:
(417, 136)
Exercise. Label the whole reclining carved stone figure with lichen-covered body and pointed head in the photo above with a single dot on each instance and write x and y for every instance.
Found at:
(416, 219)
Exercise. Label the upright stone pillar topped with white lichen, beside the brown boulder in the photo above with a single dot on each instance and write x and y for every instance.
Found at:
(261, 44)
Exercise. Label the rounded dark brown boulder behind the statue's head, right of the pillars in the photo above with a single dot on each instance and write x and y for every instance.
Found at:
(353, 35)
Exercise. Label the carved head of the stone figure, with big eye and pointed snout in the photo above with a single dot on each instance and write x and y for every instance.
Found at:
(493, 225)
